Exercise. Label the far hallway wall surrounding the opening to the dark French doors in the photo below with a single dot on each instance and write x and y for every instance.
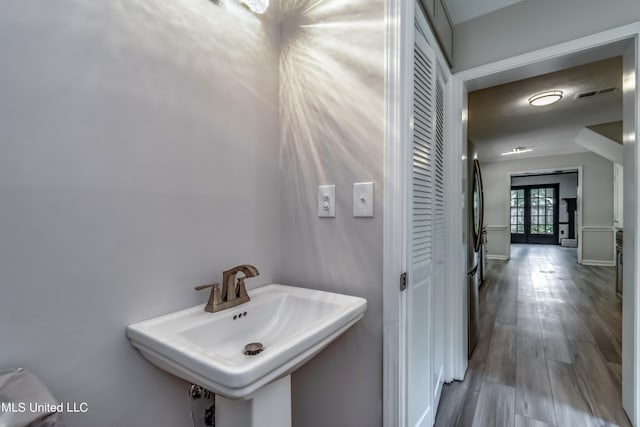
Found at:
(597, 203)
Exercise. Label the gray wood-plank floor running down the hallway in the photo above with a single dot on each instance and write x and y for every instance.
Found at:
(549, 352)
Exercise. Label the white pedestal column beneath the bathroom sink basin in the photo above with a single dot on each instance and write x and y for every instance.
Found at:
(269, 406)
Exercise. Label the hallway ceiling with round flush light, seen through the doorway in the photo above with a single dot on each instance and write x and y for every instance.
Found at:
(500, 117)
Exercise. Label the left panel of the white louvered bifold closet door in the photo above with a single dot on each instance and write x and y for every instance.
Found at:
(419, 375)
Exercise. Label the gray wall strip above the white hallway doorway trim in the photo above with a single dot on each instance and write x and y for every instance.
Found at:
(534, 24)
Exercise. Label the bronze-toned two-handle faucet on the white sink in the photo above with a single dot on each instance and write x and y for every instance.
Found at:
(233, 291)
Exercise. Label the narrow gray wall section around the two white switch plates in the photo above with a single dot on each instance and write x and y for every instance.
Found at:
(332, 112)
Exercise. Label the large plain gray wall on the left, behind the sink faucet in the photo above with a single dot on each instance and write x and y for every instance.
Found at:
(138, 158)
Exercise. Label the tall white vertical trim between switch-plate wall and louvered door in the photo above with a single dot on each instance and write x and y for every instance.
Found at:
(397, 68)
